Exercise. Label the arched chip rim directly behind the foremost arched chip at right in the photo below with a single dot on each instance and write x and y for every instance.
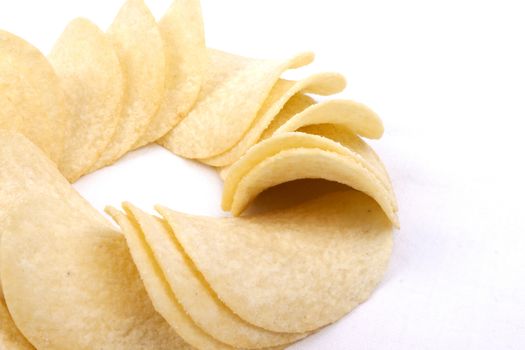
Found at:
(354, 148)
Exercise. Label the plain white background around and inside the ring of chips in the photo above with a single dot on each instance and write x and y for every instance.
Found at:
(448, 79)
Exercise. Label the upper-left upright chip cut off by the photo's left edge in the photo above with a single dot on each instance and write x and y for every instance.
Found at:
(31, 99)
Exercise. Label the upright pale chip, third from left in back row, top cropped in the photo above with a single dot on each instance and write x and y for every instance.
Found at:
(140, 47)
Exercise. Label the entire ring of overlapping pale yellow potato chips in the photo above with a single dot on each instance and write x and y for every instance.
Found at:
(264, 280)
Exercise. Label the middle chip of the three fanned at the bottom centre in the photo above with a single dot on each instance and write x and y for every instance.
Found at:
(195, 295)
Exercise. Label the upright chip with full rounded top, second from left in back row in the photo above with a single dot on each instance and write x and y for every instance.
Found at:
(89, 69)
